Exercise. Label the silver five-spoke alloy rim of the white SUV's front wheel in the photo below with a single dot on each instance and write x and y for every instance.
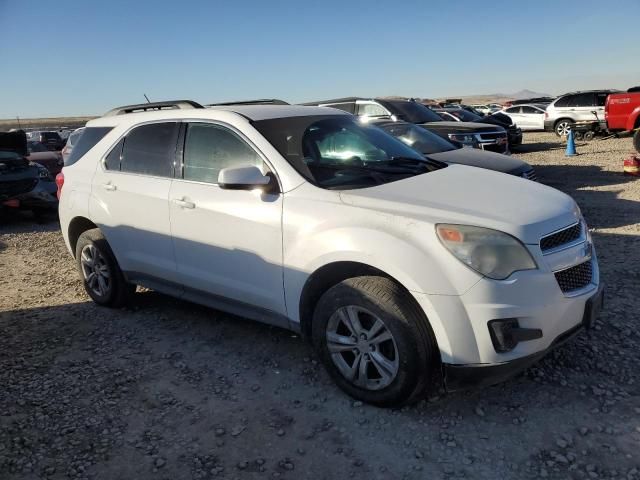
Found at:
(362, 347)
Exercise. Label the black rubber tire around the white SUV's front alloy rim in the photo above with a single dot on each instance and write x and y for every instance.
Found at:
(417, 352)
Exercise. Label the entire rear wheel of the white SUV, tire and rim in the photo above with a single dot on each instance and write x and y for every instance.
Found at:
(102, 278)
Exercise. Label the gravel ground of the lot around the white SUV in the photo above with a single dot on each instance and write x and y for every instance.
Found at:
(169, 390)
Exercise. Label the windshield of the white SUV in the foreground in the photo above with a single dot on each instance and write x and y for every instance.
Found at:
(336, 152)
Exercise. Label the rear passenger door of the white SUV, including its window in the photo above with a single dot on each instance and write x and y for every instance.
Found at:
(130, 200)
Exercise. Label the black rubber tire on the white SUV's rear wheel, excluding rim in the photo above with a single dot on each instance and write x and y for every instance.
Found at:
(118, 290)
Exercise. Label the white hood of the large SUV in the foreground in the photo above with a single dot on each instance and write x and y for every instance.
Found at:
(457, 194)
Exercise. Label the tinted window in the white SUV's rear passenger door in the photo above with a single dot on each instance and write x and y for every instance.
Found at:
(150, 149)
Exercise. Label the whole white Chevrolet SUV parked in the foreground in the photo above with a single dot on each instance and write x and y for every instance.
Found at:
(399, 269)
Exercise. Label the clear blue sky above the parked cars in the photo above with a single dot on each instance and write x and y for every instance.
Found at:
(83, 57)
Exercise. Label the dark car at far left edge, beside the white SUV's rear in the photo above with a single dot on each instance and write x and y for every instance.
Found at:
(24, 185)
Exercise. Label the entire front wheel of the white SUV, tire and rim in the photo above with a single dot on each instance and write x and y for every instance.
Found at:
(375, 341)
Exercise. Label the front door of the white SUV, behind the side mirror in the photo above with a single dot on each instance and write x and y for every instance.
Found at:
(228, 243)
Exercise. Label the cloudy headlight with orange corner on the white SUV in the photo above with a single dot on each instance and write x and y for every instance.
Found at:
(489, 252)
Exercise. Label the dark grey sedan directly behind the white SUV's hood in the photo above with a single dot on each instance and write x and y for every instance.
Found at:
(437, 148)
